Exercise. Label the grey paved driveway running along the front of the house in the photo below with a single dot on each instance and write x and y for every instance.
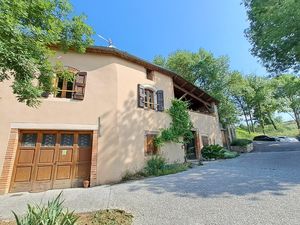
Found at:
(256, 188)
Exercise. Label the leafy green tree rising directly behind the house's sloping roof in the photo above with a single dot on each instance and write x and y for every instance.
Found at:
(207, 72)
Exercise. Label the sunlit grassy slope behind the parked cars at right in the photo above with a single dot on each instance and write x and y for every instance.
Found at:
(284, 129)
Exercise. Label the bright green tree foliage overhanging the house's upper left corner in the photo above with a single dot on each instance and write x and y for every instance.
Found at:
(28, 29)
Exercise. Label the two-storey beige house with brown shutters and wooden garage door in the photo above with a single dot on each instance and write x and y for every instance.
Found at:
(99, 126)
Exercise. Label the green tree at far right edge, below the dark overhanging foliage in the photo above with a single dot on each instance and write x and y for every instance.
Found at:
(288, 90)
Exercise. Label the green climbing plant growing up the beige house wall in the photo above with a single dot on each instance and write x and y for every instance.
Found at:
(180, 127)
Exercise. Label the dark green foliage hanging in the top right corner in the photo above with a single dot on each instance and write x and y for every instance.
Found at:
(274, 33)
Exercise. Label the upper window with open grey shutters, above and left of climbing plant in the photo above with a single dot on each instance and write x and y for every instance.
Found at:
(150, 98)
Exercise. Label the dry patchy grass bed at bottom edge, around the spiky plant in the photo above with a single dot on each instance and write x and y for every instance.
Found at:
(101, 217)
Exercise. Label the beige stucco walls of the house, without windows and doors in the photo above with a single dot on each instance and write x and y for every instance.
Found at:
(111, 94)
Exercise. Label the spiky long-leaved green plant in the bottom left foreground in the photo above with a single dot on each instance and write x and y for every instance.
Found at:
(51, 214)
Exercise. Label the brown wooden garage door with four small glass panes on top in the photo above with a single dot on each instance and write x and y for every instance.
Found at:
(51, 159)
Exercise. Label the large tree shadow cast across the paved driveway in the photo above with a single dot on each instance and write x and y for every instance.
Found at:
(253, 173)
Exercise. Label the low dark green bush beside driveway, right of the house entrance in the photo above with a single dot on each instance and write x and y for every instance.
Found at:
(217, 152)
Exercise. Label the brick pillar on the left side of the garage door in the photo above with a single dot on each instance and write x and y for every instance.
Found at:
(9, 159)
